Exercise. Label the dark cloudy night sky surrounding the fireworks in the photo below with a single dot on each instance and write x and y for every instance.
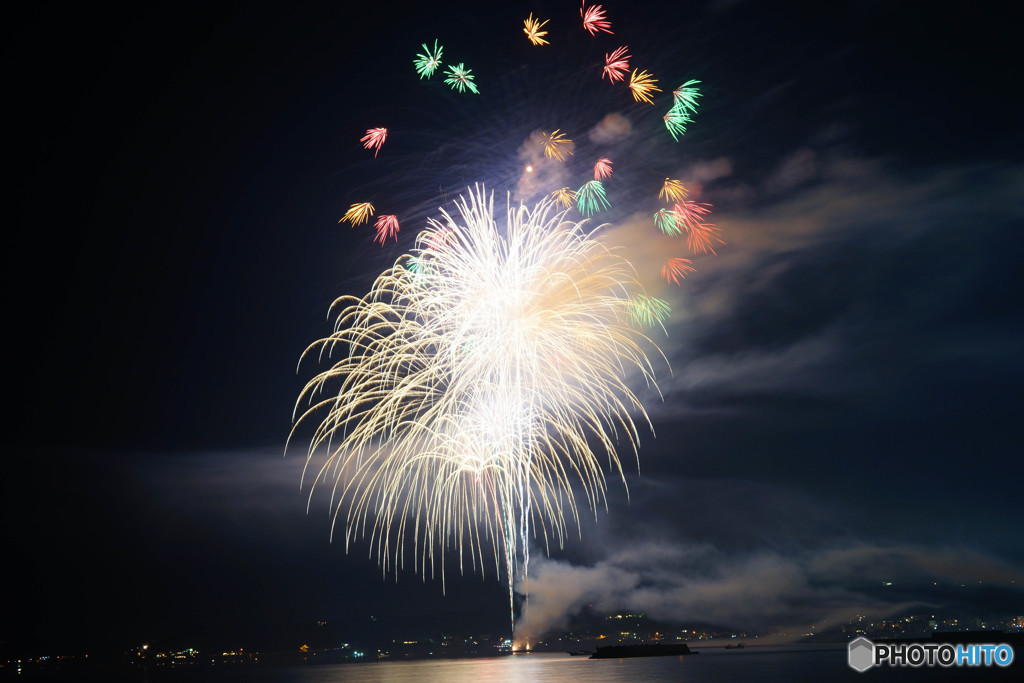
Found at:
(844, 403)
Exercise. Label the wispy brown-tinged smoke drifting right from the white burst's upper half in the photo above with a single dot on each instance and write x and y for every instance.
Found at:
(830, 264)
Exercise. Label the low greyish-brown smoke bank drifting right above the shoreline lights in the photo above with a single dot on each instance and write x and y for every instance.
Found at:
(769, 590)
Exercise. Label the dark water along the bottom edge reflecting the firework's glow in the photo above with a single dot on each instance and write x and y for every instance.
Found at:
(800, 663)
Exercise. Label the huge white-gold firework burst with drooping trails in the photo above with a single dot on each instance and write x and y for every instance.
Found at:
(479, 389)
